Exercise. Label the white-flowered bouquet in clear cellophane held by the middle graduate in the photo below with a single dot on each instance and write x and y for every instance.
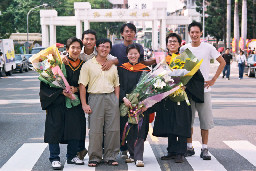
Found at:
(151, 88)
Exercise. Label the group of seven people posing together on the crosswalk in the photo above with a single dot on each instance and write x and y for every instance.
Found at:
(101, 77)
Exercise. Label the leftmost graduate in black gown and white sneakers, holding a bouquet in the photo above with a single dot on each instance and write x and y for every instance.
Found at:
(64, 125)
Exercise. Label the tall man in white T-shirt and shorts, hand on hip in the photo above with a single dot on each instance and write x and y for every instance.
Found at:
(206, 52)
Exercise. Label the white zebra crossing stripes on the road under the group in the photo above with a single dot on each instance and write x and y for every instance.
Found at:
(29, 153)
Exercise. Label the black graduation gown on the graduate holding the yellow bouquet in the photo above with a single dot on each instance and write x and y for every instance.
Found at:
(174, 119)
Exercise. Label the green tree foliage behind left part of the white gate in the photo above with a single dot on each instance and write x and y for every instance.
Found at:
(14, 15)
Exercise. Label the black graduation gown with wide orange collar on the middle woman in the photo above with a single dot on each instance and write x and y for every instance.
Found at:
(129, 76)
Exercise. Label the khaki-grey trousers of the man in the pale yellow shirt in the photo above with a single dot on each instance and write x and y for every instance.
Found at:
(105, 114)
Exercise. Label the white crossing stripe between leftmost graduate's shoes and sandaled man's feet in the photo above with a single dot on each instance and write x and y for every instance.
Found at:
(73, 167)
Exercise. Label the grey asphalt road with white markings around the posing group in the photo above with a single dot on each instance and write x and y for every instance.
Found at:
(232, 142)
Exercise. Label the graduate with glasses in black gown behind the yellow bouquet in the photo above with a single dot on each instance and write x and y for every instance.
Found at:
(173, 120)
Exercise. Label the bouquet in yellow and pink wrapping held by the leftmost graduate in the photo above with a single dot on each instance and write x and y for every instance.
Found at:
(52, 71)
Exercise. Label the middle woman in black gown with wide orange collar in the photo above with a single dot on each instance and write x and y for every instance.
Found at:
(129, 75)
